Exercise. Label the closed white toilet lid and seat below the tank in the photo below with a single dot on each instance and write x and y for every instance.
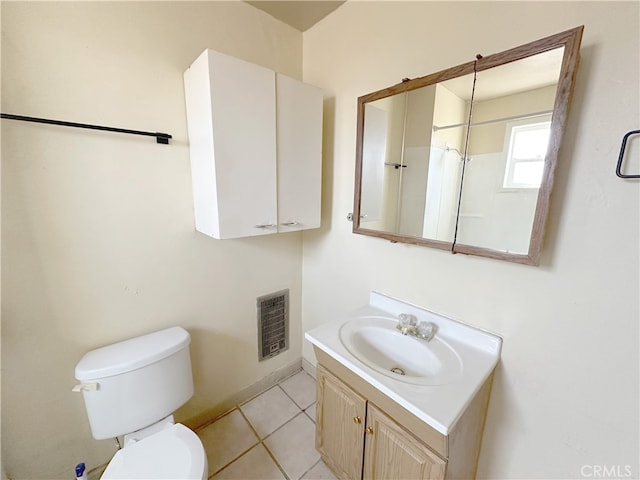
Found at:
(174, 453)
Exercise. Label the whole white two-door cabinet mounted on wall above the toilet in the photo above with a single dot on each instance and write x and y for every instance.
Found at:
(255, 141)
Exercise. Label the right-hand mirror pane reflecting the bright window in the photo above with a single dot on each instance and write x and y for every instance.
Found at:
(508, 139)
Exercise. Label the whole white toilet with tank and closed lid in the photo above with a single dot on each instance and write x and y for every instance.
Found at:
(131, 389)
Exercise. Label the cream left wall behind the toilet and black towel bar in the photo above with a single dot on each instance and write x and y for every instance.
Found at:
(98, 241)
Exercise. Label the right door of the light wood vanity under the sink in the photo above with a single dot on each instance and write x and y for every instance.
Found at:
(392, 453)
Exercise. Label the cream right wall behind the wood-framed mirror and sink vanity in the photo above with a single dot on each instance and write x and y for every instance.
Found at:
(566, 393)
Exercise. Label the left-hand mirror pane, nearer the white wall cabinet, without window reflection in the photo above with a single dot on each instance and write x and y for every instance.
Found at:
(410, 172)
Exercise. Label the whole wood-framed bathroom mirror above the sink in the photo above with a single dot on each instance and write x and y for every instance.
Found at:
(463, 159)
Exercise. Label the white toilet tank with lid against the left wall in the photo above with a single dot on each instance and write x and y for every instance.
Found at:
(132, 384)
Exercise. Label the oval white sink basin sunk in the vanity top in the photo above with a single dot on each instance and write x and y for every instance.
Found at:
(377, 343)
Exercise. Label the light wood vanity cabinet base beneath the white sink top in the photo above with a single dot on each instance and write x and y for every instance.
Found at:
(363, 434)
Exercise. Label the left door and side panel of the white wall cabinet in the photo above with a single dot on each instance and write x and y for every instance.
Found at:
(231, 115)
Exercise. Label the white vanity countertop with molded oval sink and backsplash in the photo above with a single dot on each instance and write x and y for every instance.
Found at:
(440, 377)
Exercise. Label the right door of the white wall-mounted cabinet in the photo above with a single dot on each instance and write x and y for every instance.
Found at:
(299, 147)
